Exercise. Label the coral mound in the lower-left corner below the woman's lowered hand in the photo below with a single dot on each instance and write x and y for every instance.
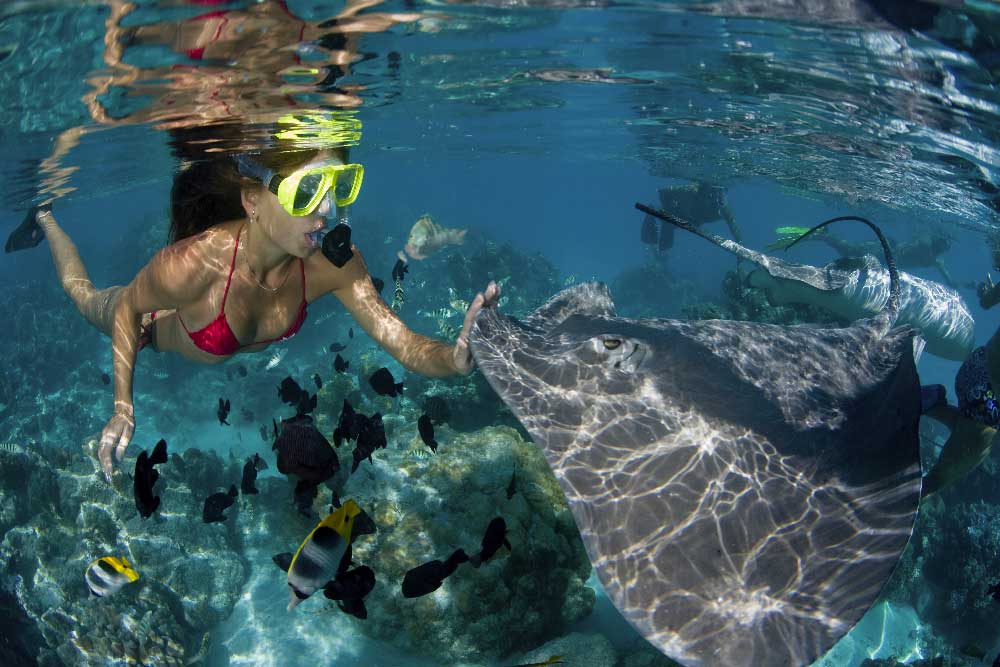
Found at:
(59, 518)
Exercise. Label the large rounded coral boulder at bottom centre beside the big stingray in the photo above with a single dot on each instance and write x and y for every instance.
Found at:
(427, 507)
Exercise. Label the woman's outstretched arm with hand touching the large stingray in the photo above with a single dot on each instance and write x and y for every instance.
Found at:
(352, 284)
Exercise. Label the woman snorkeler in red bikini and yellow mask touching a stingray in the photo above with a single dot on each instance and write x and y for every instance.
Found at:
(239, 273)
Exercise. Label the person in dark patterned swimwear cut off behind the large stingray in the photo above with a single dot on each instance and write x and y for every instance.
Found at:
(974, 423)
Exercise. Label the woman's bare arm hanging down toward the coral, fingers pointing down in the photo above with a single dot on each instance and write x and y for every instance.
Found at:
(177, 276)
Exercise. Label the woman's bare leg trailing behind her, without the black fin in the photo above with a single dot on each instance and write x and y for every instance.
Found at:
(97, 306)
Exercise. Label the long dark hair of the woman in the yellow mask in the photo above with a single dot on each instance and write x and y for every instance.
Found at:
(207, 191)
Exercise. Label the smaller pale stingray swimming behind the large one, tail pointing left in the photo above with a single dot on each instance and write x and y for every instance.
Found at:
(857, 287)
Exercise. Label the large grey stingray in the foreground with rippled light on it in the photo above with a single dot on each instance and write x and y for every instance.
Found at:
(743, 490)
